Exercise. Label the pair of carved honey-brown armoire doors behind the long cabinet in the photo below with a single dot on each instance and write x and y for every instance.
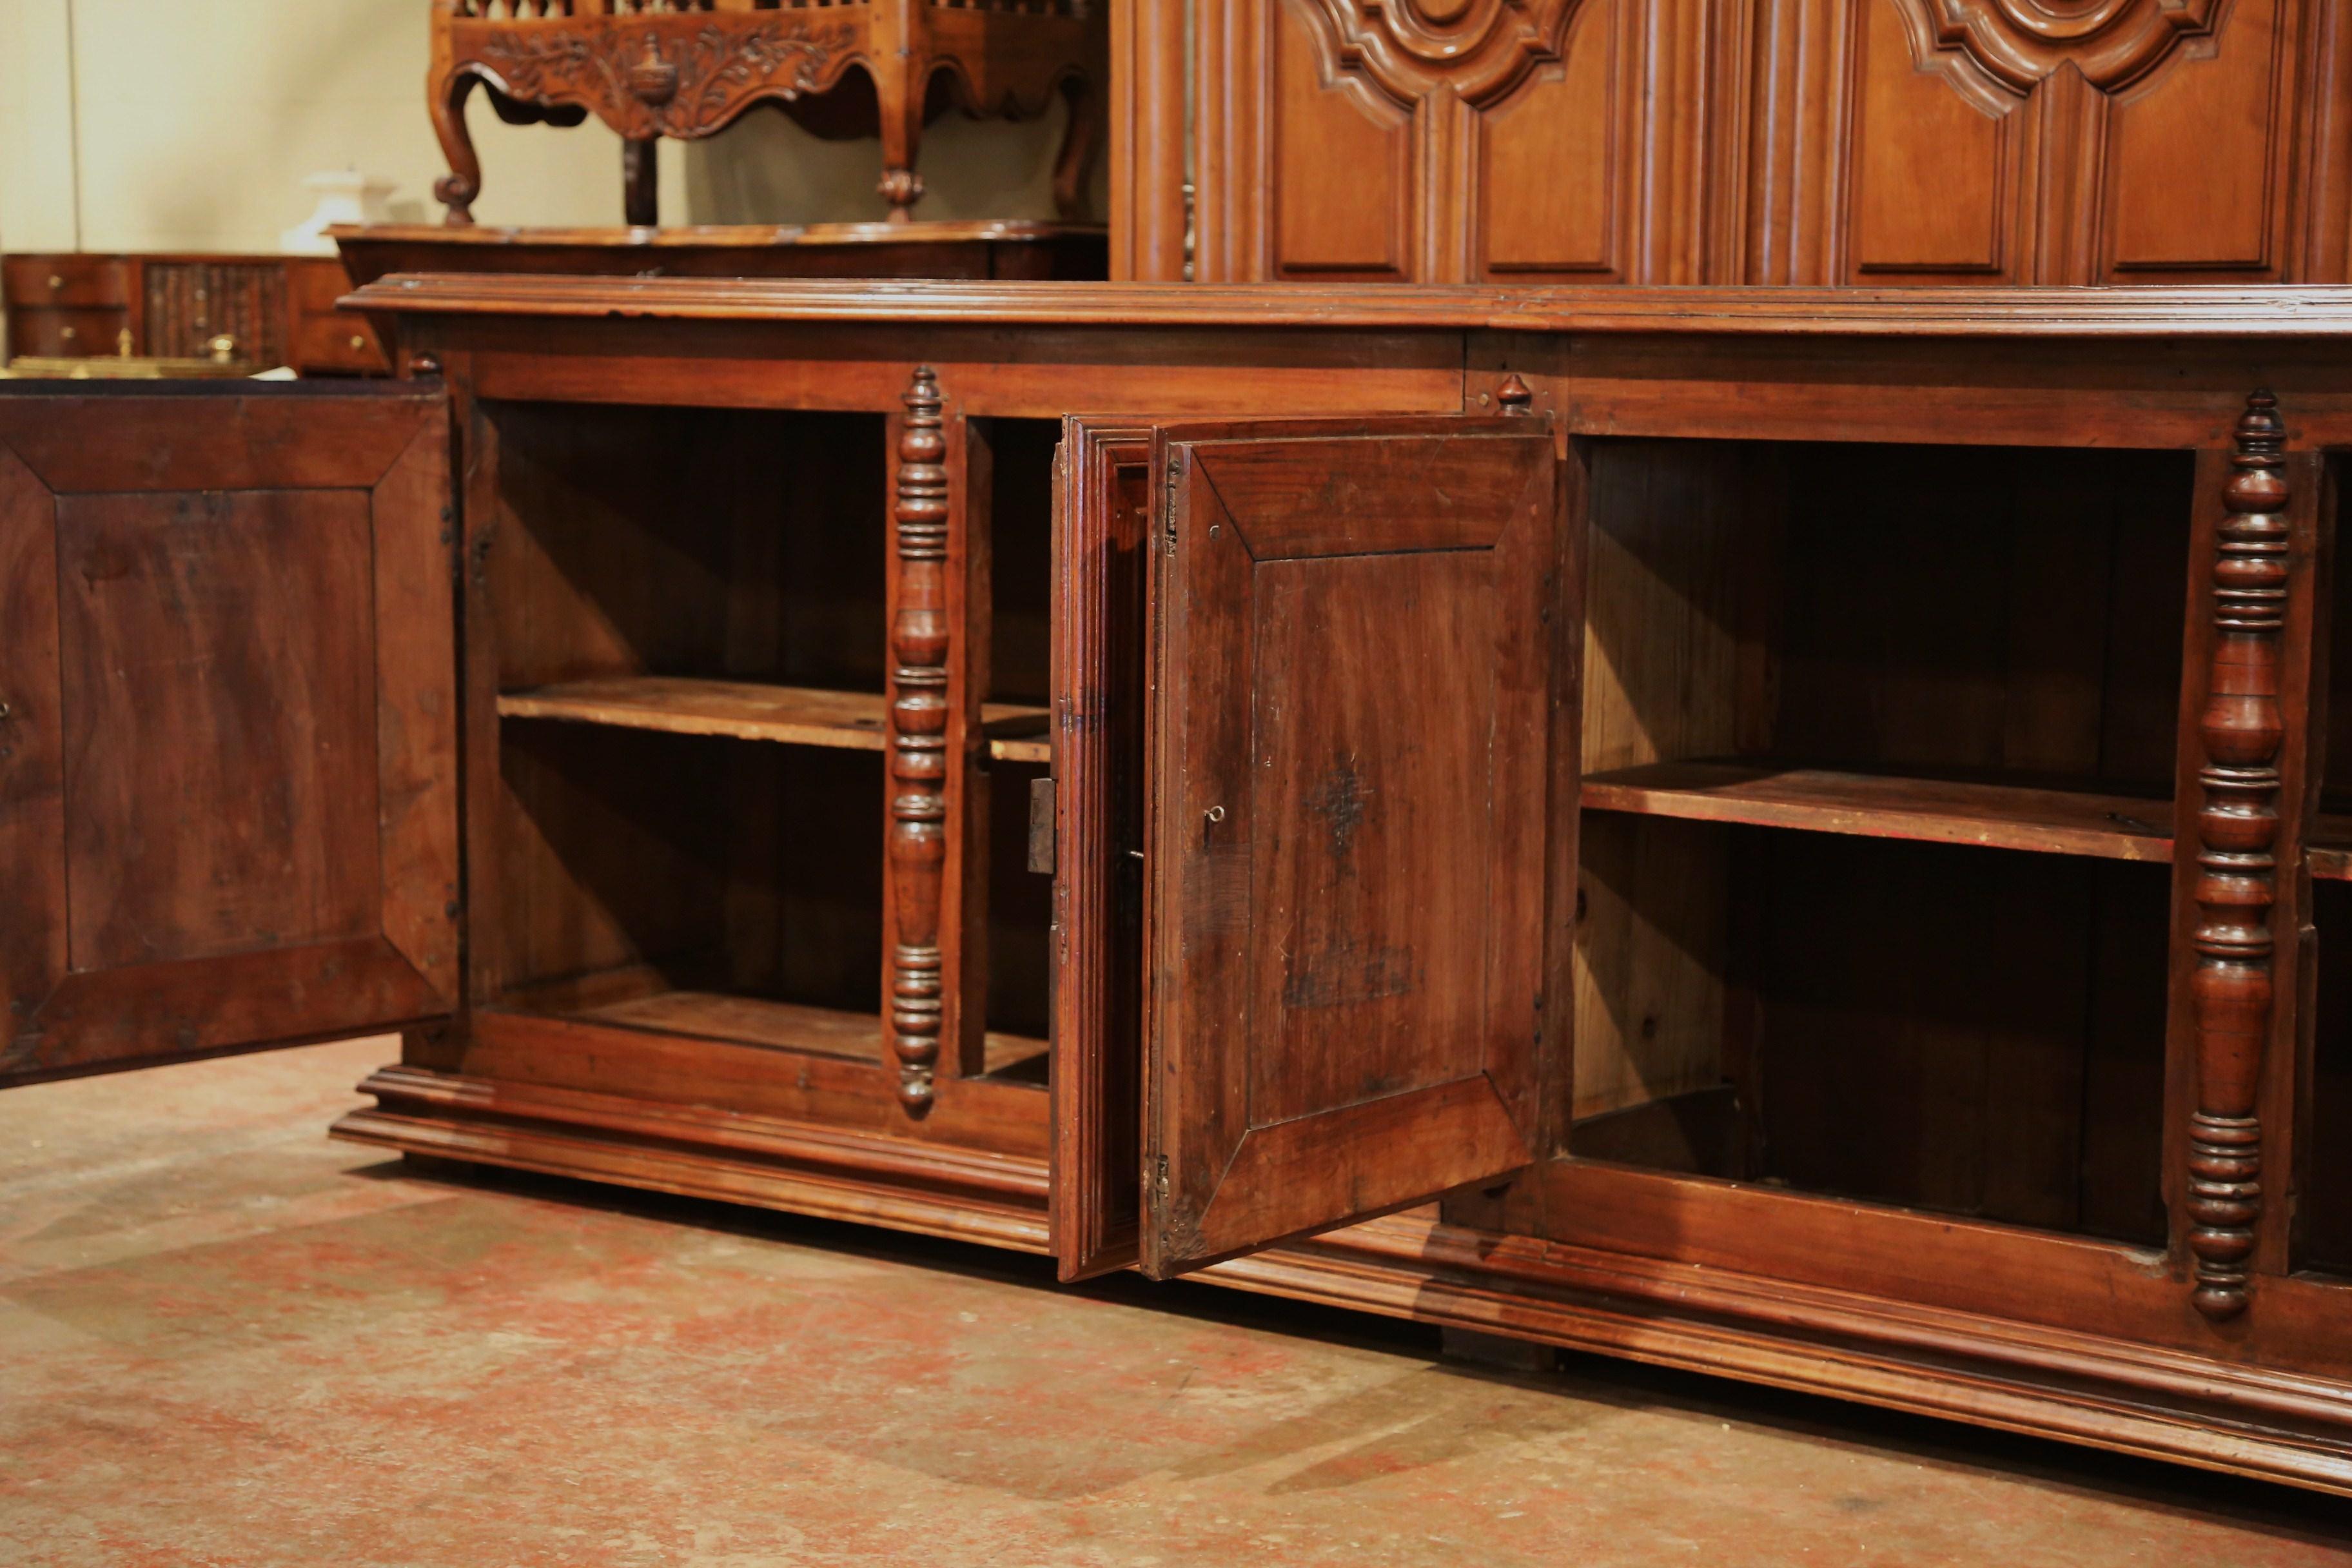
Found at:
(1782, 142)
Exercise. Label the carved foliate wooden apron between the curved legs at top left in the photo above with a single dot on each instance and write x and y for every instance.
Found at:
(664, 76)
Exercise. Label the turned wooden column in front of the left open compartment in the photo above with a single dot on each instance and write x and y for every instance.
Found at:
(918, 742)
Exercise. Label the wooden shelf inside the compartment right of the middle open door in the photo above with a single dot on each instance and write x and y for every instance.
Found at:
(1895, 808)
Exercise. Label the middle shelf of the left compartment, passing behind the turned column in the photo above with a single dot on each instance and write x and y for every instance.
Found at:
(751, 711)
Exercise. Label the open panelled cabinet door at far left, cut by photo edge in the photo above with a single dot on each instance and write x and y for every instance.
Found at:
(229, 730)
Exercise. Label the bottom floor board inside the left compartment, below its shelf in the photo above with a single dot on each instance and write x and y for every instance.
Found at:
(639, 998)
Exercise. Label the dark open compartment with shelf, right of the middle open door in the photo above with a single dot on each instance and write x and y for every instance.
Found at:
(1878, 753)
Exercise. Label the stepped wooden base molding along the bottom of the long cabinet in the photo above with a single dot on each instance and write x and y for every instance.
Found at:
(1819, 1341)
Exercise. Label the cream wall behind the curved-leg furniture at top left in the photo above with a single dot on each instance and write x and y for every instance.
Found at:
(192, 123)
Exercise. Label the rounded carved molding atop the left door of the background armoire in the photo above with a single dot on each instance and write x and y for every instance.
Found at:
(1481, 51)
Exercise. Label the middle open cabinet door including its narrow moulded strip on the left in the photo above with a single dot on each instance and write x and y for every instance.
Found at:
(1302, 824)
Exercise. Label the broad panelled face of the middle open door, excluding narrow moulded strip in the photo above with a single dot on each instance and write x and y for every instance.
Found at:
(1349, 829)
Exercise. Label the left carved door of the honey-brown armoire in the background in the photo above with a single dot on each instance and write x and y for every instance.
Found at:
(1419, 142)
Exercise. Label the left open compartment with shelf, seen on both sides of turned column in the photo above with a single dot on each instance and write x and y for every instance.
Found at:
(693, 645)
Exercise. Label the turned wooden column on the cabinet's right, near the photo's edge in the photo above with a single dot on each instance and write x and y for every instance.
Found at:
(2238, 862)
